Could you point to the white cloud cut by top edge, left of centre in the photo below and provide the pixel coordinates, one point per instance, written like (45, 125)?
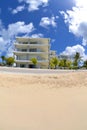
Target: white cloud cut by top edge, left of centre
(35, 4)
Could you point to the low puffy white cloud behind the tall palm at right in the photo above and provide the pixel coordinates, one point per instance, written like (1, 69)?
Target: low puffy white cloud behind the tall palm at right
(71, 51)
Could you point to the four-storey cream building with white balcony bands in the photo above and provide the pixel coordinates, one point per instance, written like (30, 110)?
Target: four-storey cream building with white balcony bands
(28, 48)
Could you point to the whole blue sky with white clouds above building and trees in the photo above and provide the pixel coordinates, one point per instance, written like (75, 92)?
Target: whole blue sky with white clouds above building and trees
(64, 22)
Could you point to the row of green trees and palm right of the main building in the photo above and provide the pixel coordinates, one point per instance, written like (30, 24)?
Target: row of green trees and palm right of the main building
(66, 63)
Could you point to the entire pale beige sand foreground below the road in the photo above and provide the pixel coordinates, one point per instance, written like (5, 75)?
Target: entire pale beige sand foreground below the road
(43, 102)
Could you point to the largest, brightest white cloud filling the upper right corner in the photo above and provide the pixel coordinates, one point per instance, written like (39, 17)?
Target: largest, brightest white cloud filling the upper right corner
(77, 20)
